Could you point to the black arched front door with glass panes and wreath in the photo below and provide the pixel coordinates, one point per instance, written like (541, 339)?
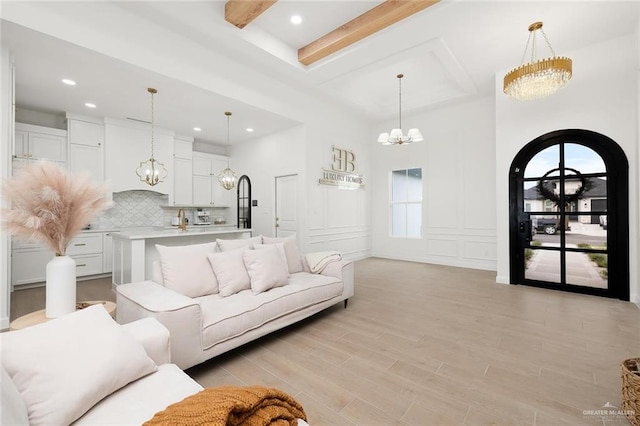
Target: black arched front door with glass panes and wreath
(569, 214)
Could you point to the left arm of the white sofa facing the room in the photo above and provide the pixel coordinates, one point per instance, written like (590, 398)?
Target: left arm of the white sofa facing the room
(180, 314)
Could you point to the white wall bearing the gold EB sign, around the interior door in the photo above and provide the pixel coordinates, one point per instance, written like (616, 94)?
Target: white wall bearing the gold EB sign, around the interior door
(329, 218)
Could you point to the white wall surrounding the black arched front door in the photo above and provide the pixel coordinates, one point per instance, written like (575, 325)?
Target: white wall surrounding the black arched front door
(602, 96)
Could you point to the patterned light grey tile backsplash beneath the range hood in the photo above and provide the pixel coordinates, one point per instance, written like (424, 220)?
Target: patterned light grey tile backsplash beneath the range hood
(133, 208)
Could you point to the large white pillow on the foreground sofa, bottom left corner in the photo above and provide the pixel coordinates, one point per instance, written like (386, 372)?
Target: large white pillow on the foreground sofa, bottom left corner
(63, 367)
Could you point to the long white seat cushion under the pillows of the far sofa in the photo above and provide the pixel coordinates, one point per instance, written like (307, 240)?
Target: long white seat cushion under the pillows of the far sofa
(226, 318)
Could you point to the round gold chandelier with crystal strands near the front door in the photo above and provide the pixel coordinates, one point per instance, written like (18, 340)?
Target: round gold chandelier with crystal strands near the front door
(539, 77)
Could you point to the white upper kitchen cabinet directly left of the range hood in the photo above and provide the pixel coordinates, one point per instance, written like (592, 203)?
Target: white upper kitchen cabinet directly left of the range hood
(86, 147)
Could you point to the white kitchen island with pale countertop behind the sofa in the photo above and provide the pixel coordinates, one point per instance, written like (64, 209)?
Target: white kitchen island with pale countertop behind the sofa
(134, 249)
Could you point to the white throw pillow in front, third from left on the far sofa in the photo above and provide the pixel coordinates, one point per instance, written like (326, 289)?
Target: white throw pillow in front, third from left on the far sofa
(267, 267)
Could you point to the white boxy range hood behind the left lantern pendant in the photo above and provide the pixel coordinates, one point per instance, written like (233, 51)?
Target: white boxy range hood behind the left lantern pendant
(127, 144)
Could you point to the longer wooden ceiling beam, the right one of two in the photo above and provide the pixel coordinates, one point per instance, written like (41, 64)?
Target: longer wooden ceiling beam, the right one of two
(372, 21)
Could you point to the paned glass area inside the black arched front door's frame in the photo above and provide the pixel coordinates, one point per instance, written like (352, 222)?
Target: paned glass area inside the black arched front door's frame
(565, 199)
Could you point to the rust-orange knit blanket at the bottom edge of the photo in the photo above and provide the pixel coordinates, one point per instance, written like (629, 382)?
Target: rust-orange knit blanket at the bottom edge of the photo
(230, 406)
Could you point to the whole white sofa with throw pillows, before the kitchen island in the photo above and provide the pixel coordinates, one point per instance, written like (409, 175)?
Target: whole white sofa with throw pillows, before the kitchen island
(203, 327)
